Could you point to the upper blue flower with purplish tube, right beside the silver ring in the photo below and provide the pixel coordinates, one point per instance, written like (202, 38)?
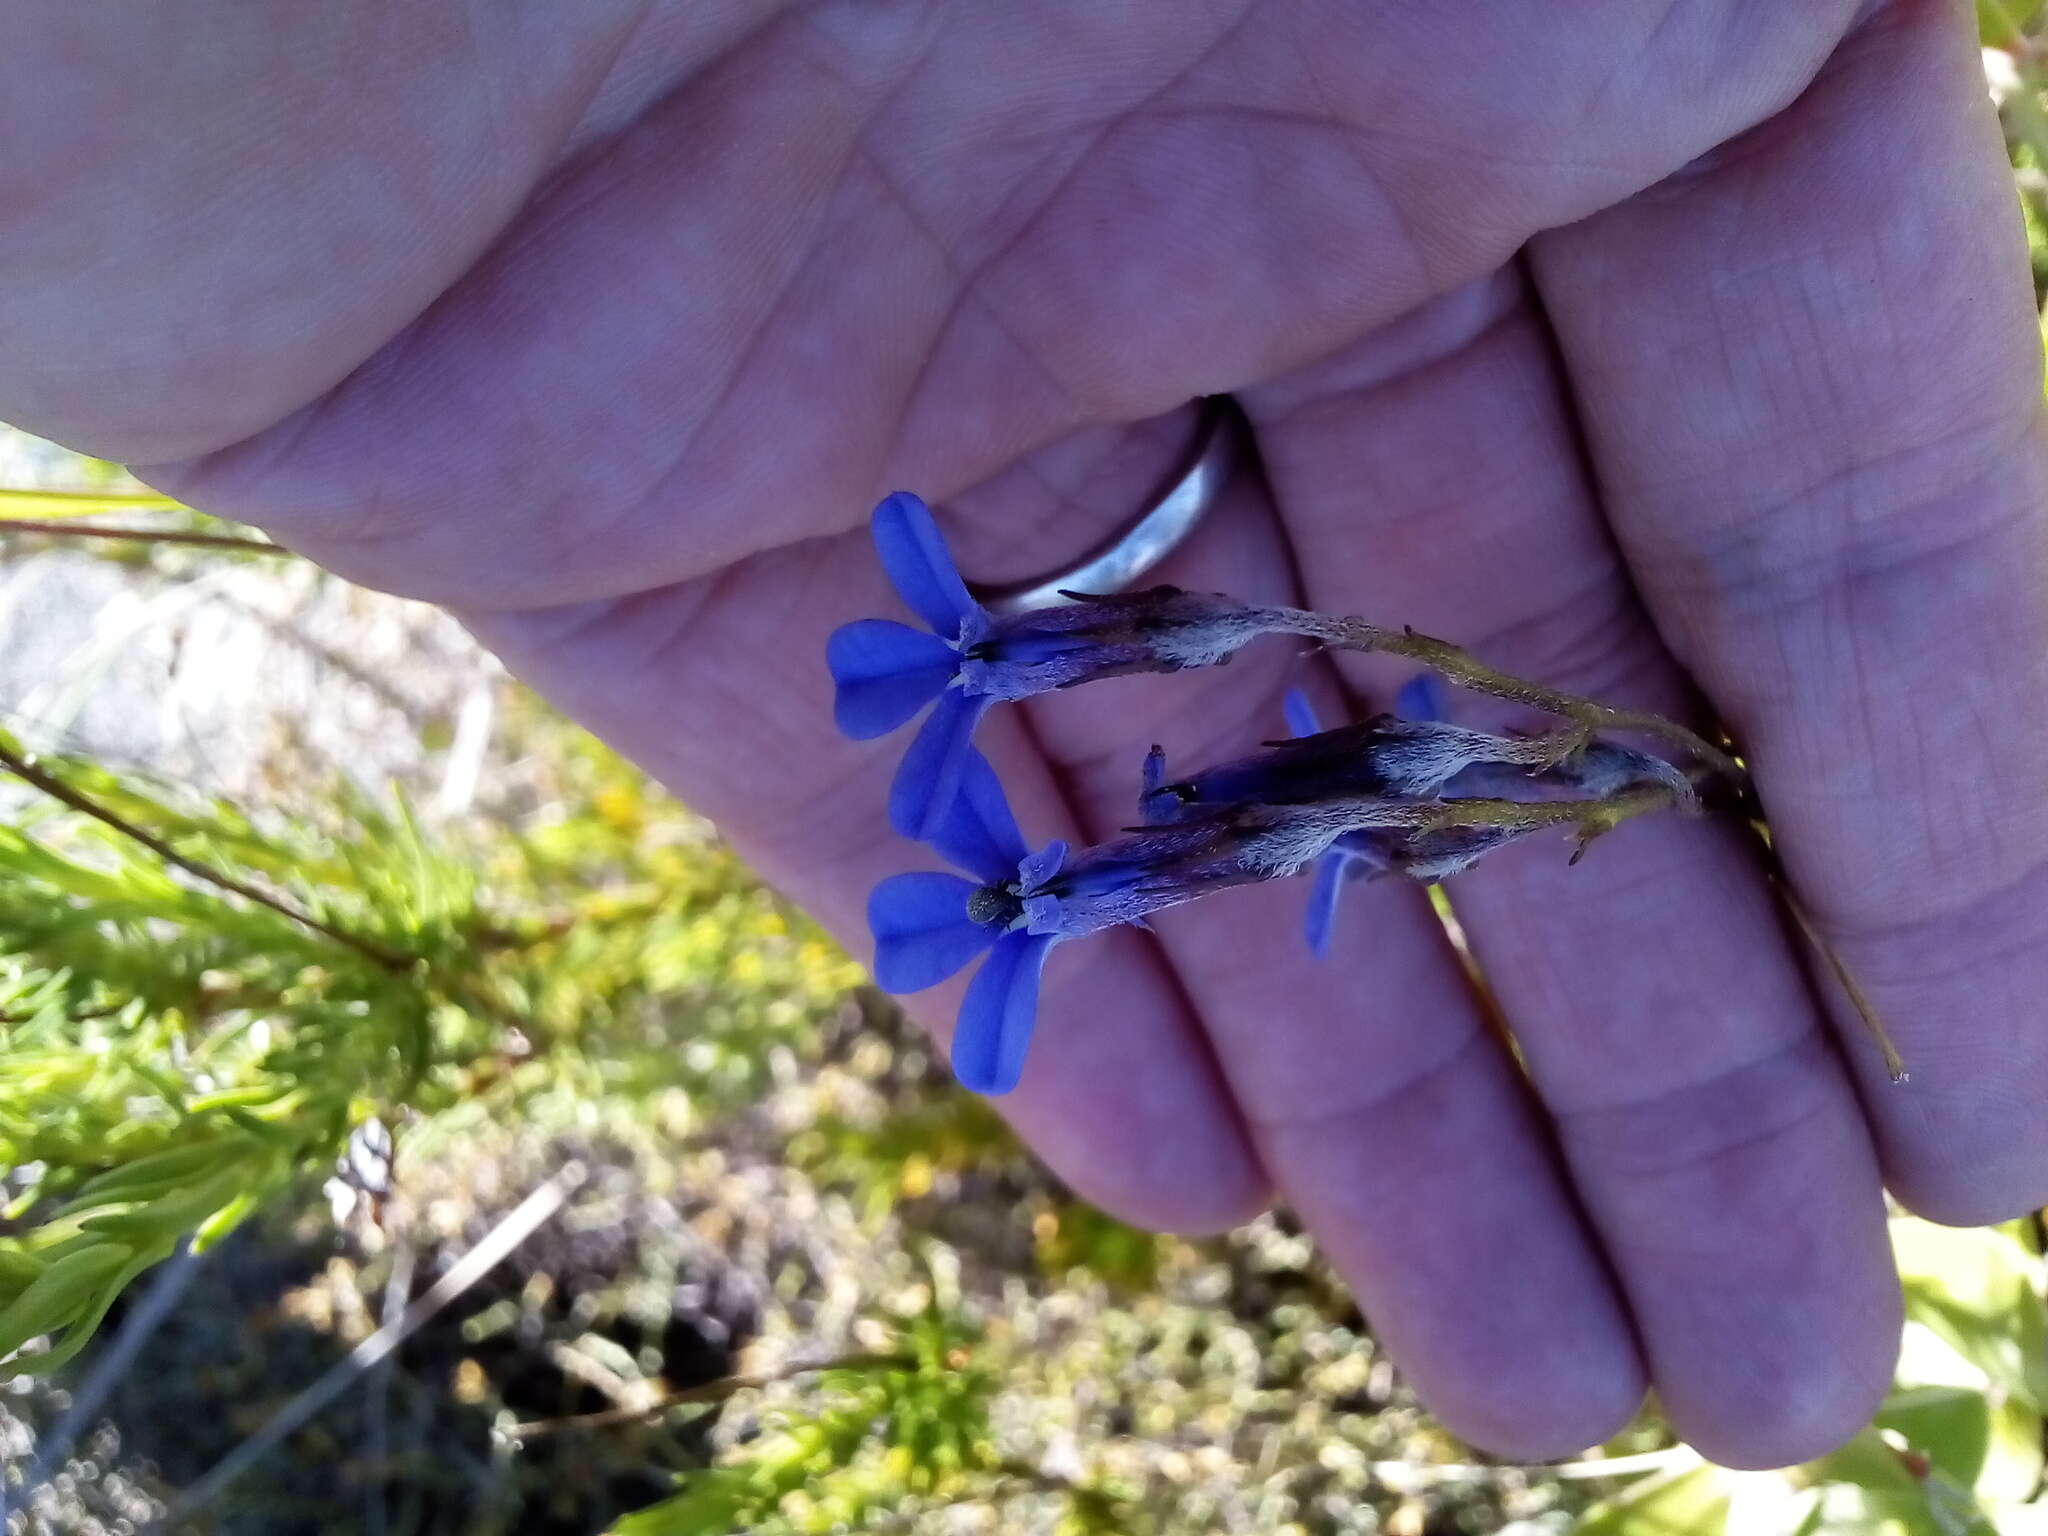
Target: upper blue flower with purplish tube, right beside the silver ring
(972, 658)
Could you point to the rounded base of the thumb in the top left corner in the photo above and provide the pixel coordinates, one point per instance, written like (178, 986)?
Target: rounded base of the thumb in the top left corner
(204, 398)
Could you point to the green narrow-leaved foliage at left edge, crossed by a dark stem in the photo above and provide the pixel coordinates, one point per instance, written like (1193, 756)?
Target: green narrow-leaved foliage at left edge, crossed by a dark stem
(196, 1011)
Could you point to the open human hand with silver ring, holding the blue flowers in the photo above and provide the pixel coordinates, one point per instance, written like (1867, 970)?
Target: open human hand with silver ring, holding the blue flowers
(1658, 353)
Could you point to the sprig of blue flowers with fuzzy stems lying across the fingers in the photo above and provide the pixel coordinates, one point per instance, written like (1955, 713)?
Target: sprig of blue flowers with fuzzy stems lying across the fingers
(1402, 794)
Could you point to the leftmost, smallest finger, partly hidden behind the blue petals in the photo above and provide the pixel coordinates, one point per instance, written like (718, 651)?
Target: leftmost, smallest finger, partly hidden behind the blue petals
(722, 693)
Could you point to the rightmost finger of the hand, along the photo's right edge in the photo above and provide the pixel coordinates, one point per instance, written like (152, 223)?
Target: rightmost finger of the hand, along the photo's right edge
(1811, 386)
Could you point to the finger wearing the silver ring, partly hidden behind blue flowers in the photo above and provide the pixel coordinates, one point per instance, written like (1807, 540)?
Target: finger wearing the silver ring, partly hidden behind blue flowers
(1379, 1101)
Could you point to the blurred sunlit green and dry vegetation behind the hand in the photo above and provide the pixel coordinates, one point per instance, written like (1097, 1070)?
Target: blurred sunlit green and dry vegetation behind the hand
(413, 1121)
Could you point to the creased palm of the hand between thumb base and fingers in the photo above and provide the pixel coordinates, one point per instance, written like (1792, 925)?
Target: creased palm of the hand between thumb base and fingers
(714, 333)
